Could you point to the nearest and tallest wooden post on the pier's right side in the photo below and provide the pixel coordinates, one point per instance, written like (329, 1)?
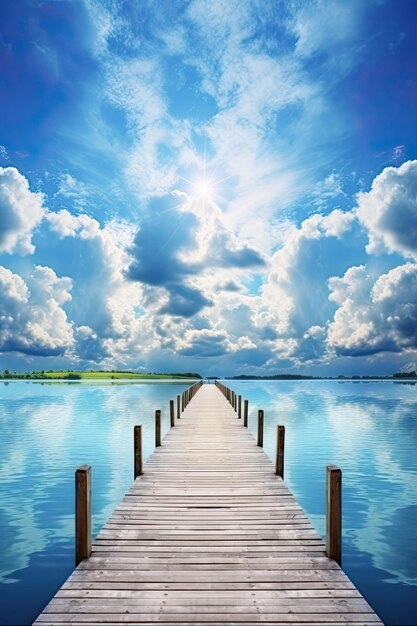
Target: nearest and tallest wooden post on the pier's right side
(334, 513)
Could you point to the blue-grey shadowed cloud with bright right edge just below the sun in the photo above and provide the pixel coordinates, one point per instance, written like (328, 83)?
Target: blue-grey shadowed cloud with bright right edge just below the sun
(181, 241)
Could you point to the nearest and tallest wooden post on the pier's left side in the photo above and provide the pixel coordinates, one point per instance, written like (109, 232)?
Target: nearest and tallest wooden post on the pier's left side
(82, 513)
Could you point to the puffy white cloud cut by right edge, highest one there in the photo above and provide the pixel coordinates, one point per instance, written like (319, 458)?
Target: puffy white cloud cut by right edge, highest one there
(389, 211)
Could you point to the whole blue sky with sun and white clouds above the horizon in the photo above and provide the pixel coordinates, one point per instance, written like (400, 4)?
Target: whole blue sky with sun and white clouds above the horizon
(211, 186)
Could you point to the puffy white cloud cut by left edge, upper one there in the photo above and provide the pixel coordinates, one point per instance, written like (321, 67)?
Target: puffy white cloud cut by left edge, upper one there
(21, 210)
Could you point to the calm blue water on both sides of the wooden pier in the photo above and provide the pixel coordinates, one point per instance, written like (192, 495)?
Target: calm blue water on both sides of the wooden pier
(368, 429)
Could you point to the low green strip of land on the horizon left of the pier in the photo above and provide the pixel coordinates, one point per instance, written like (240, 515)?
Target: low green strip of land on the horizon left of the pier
(94, 375)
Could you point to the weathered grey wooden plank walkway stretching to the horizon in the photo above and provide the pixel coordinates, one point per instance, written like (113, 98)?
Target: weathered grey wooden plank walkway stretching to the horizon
(208, 535)
